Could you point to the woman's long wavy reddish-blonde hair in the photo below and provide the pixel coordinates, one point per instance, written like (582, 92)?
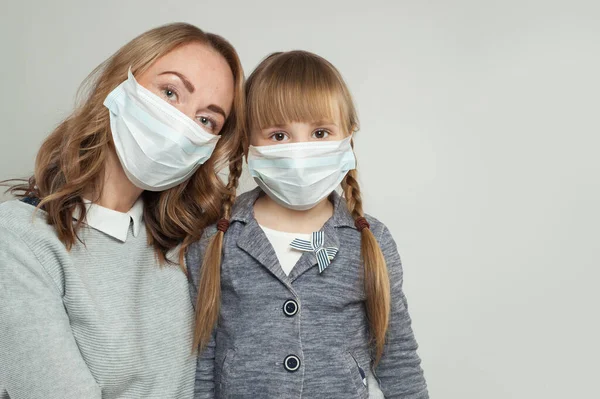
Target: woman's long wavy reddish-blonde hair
(71, 161)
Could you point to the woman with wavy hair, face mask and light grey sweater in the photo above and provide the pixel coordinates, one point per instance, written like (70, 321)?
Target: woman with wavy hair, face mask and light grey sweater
(92, 302)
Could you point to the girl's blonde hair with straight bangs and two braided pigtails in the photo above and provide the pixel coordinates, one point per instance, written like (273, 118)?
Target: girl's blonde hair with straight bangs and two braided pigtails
(299, 86)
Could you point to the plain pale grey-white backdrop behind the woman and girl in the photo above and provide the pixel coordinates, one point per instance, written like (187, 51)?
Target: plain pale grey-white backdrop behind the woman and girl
(478, 148)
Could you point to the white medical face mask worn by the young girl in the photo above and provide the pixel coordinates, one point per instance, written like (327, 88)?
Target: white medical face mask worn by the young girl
(300, 175)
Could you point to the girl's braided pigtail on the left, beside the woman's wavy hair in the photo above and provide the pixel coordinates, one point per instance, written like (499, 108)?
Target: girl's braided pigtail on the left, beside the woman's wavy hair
(209, 286)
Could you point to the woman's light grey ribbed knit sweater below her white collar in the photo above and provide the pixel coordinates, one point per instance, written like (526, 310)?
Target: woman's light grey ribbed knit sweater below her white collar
(102, 321)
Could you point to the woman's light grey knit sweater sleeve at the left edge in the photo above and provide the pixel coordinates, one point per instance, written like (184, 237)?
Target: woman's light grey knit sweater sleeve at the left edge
(40, 357)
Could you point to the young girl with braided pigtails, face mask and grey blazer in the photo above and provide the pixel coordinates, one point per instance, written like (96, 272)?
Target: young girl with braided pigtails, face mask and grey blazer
(302, 297)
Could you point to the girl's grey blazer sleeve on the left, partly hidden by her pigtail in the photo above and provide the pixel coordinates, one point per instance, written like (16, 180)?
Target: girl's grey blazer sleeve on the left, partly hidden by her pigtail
(204, 386)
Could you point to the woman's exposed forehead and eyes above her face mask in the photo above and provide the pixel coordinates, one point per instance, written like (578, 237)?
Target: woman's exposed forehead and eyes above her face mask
(195, 79)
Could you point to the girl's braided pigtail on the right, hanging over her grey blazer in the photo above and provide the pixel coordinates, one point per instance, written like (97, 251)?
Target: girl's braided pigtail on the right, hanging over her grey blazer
(376, 280)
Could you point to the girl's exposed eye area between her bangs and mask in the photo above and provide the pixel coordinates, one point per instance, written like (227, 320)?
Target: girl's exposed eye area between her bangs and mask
(298, 132)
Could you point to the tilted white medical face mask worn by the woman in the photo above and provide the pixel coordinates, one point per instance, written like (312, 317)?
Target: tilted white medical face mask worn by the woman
(159, 146)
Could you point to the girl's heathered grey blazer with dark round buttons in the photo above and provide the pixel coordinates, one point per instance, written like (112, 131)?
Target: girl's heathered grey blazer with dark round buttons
(304, 335)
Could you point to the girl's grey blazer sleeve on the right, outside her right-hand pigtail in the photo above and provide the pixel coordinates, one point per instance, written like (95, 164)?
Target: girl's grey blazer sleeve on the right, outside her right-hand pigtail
(399, 370)
